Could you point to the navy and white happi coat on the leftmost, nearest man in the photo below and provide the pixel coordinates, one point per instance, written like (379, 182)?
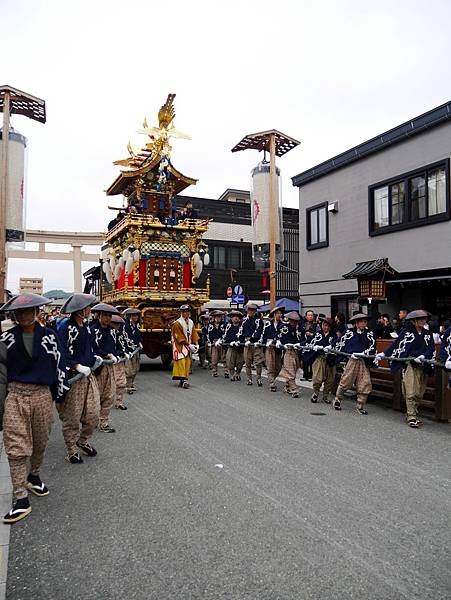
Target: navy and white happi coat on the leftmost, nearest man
(46, 366)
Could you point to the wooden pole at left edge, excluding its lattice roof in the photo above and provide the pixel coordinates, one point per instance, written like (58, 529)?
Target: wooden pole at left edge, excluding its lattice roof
(4, 193)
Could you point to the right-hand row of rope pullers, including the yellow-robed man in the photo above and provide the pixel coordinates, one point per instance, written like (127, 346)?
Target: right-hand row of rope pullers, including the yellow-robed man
(280, 342)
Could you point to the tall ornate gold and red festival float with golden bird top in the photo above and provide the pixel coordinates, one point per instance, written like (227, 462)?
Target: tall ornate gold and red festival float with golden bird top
(153, 255)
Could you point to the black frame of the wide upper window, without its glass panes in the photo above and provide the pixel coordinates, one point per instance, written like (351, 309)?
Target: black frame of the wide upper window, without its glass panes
(405, 178)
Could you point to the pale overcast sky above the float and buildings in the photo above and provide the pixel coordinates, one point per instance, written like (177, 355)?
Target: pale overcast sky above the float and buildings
(330, 74)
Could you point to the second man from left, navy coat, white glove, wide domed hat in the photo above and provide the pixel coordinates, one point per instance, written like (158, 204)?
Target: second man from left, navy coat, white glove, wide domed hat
(82, 403)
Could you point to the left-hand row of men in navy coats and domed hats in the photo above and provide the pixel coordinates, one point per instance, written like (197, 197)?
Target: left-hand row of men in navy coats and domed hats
(85, 367)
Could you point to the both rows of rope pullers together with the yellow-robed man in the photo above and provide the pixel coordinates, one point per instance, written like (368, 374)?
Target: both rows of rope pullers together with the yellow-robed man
(87, 366)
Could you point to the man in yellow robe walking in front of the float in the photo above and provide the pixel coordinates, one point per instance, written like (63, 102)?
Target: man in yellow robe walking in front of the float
(184, 343)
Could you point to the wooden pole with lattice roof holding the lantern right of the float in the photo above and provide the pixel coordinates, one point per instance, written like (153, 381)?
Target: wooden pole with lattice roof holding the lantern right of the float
(278, 144)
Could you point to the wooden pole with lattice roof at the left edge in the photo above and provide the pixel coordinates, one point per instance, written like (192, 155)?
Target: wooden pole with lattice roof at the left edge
(12, 101)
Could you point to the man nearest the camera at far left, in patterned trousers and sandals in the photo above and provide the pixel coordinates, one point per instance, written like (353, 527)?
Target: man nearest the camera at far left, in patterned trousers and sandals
(36, 376)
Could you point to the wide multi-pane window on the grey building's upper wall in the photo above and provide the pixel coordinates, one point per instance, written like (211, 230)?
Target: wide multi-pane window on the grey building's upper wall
(412, 199)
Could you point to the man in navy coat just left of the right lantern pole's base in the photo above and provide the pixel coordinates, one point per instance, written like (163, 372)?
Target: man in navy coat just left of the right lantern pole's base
(250, 333)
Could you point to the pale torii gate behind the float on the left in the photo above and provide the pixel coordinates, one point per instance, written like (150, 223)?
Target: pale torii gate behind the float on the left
(75, 239)
